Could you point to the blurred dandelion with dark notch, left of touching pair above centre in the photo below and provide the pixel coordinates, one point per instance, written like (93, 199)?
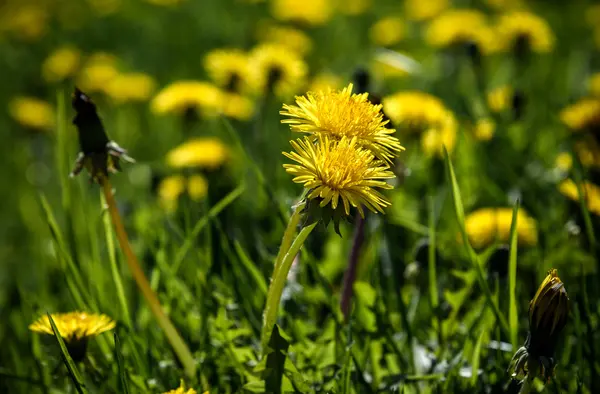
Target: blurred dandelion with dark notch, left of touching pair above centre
(228, 68)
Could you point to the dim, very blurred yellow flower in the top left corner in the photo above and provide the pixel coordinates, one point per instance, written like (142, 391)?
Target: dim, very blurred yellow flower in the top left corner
(27, 20)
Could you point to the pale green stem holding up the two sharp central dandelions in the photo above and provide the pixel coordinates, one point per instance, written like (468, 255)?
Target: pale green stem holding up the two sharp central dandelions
(279, 279)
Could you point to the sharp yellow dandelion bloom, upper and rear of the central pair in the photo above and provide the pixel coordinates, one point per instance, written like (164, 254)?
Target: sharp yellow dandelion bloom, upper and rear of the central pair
(339, 114)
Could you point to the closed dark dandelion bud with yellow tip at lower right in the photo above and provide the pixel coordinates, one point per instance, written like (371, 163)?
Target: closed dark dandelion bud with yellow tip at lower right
(548, 315)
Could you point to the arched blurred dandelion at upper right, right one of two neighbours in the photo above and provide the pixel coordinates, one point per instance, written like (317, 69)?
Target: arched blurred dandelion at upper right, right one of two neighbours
(521, 27)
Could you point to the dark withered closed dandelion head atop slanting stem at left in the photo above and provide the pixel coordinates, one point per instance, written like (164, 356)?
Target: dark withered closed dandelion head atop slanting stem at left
(98, 154)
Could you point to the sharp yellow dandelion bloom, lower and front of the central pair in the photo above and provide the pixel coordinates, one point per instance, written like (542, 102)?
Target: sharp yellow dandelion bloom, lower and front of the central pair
(334, 170)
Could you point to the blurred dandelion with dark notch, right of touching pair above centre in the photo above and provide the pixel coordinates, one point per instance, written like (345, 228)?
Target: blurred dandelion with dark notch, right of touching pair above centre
(276, 68)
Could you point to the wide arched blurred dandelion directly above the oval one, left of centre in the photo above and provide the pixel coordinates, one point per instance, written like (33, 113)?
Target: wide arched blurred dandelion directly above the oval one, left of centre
(182, 95)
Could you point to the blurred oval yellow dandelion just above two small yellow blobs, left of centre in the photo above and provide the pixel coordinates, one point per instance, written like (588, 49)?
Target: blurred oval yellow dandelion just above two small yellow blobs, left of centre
(209, 153)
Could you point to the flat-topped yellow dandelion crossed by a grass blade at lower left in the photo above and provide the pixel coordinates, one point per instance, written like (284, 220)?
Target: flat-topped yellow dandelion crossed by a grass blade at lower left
(75, 328)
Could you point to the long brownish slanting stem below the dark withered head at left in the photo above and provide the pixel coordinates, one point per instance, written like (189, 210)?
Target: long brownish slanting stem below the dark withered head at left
(179, 346)
